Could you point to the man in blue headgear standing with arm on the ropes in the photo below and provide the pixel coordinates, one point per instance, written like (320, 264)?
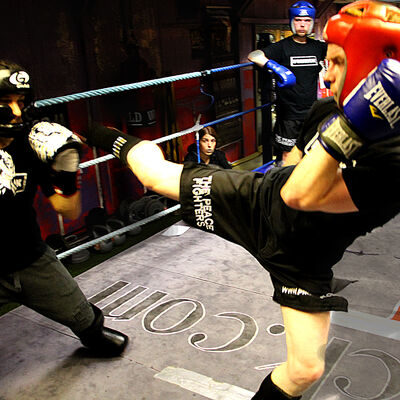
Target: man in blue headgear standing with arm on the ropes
(295, 62)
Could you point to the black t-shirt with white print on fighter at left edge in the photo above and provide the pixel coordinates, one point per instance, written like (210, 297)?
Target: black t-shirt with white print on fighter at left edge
(20, 174)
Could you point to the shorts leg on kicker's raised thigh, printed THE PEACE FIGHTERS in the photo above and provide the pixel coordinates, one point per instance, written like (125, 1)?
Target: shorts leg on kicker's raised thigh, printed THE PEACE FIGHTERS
(221, 201)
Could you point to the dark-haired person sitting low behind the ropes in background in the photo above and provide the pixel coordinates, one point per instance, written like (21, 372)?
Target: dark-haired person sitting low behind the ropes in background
(208, 154)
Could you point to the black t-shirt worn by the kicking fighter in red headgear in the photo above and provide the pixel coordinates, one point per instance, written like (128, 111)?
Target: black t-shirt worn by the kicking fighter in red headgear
(312, 242)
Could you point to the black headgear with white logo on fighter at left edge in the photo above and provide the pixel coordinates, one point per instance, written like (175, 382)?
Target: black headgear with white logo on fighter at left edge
(14, 80)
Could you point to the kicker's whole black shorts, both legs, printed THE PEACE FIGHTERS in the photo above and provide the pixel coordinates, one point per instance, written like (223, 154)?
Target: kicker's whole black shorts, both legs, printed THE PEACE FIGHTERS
(227, 203)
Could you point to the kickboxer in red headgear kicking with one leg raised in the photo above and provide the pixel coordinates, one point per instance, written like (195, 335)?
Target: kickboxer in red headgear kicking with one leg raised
(298, 220)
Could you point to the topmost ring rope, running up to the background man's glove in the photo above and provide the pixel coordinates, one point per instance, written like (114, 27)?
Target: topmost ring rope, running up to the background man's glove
(131, 86)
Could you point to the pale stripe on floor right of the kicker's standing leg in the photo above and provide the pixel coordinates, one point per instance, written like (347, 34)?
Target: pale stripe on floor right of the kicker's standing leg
(367, 323)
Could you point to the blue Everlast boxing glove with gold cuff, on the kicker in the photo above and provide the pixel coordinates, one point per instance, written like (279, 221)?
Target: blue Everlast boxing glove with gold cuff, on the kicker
(371, 113)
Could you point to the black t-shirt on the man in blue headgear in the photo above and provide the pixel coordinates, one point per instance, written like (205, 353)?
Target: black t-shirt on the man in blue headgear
(303, 59)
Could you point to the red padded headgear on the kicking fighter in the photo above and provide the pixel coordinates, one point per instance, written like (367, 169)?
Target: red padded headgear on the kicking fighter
(368, 32)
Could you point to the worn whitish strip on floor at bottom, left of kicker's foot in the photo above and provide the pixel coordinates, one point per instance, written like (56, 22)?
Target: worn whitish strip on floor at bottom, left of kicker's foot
(203, 385)
